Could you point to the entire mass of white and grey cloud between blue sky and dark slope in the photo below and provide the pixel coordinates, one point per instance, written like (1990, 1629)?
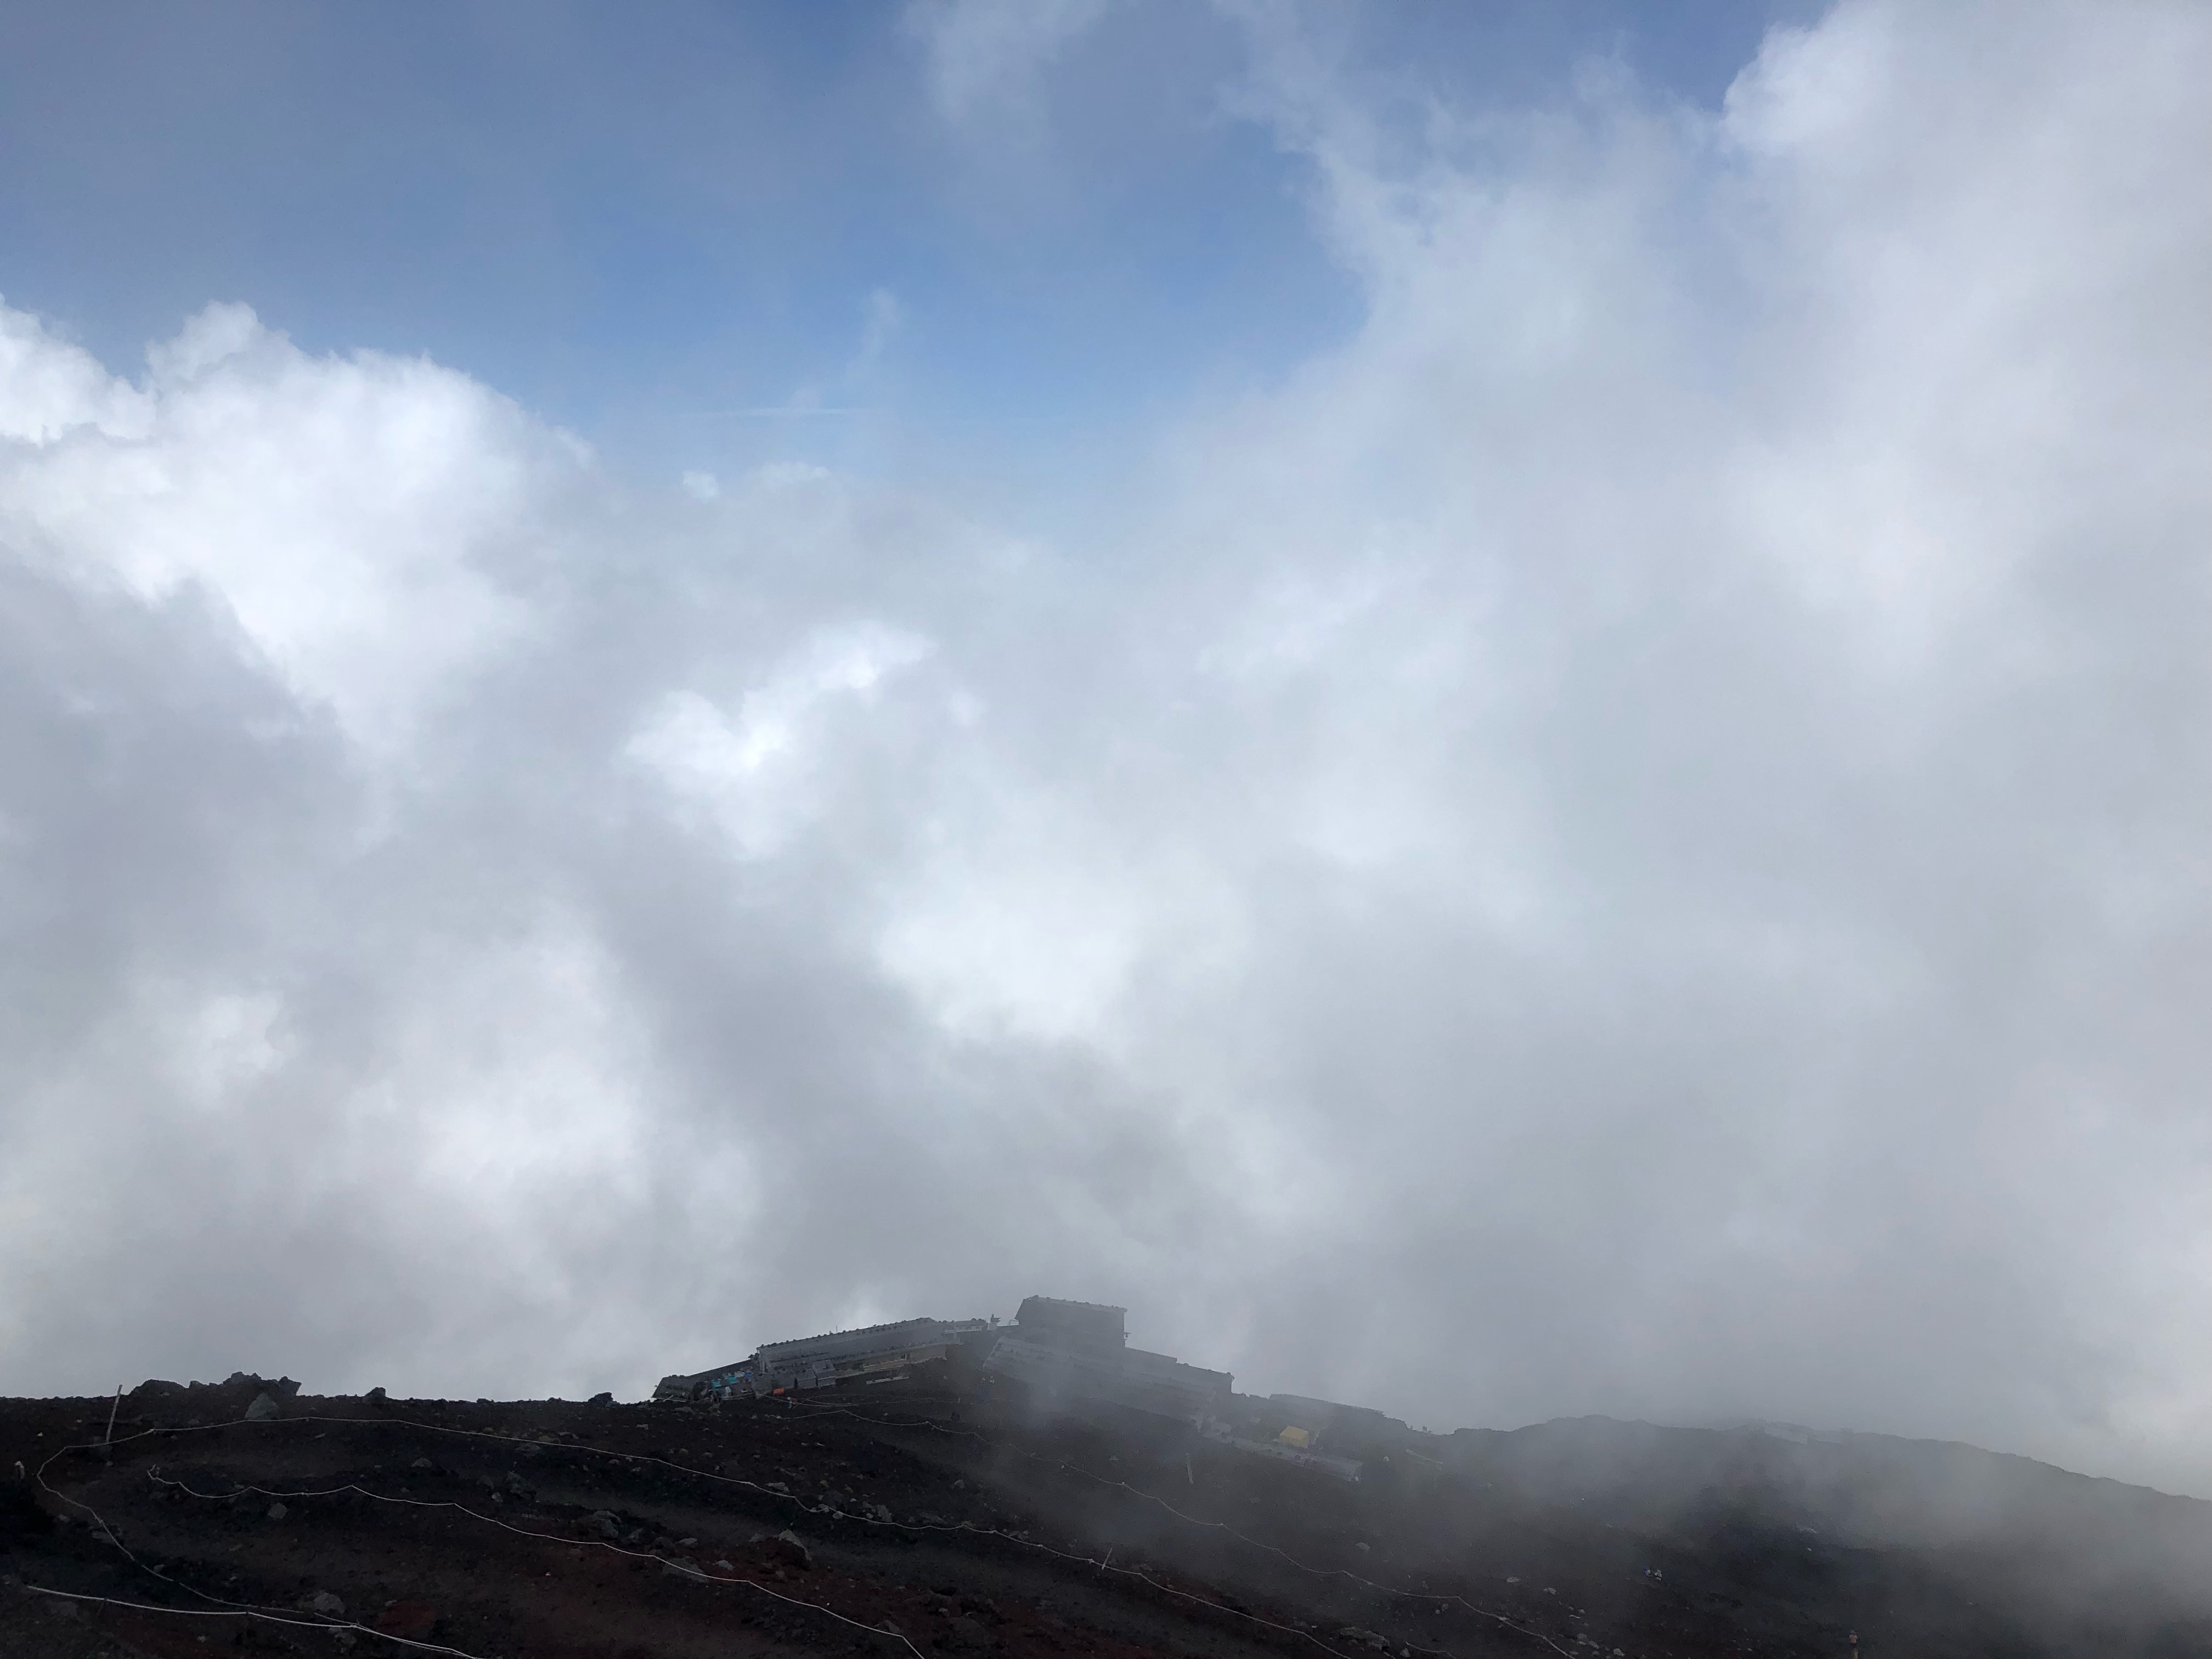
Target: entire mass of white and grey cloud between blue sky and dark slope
(1631, 837)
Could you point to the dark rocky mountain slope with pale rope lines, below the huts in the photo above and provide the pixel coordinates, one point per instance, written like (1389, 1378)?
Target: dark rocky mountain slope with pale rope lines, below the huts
(910, 1521)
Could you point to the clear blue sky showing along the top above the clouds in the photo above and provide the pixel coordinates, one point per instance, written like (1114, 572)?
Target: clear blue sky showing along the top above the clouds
(632, 222)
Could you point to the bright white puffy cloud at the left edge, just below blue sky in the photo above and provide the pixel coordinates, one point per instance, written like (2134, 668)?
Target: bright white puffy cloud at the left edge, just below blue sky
(351, 514)
